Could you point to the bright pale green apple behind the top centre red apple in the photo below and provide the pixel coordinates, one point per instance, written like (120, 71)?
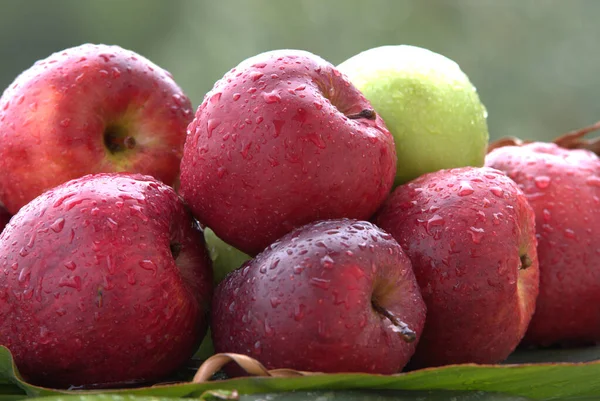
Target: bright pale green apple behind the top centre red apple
(427, 103)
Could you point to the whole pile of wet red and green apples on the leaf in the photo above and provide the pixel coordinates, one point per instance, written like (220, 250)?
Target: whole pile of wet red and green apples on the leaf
(376, 237)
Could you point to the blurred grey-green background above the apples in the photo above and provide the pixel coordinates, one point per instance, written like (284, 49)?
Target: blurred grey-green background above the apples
(535, 62)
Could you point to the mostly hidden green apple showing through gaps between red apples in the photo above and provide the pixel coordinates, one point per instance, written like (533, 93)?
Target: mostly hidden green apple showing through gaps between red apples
(225, 259)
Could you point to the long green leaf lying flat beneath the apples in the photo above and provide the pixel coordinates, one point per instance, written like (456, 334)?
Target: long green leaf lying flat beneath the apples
(543, 381)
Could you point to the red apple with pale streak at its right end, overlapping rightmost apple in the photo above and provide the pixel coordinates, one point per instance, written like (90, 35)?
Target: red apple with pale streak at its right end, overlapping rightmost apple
(469, 233)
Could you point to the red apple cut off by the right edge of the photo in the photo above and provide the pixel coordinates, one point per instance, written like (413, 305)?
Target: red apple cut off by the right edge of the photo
(563, 187)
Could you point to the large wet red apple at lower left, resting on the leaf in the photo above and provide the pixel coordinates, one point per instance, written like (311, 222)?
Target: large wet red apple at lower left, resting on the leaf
(105, 282)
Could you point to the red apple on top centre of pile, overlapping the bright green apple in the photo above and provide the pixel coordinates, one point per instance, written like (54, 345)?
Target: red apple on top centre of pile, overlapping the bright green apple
(282, 140)
